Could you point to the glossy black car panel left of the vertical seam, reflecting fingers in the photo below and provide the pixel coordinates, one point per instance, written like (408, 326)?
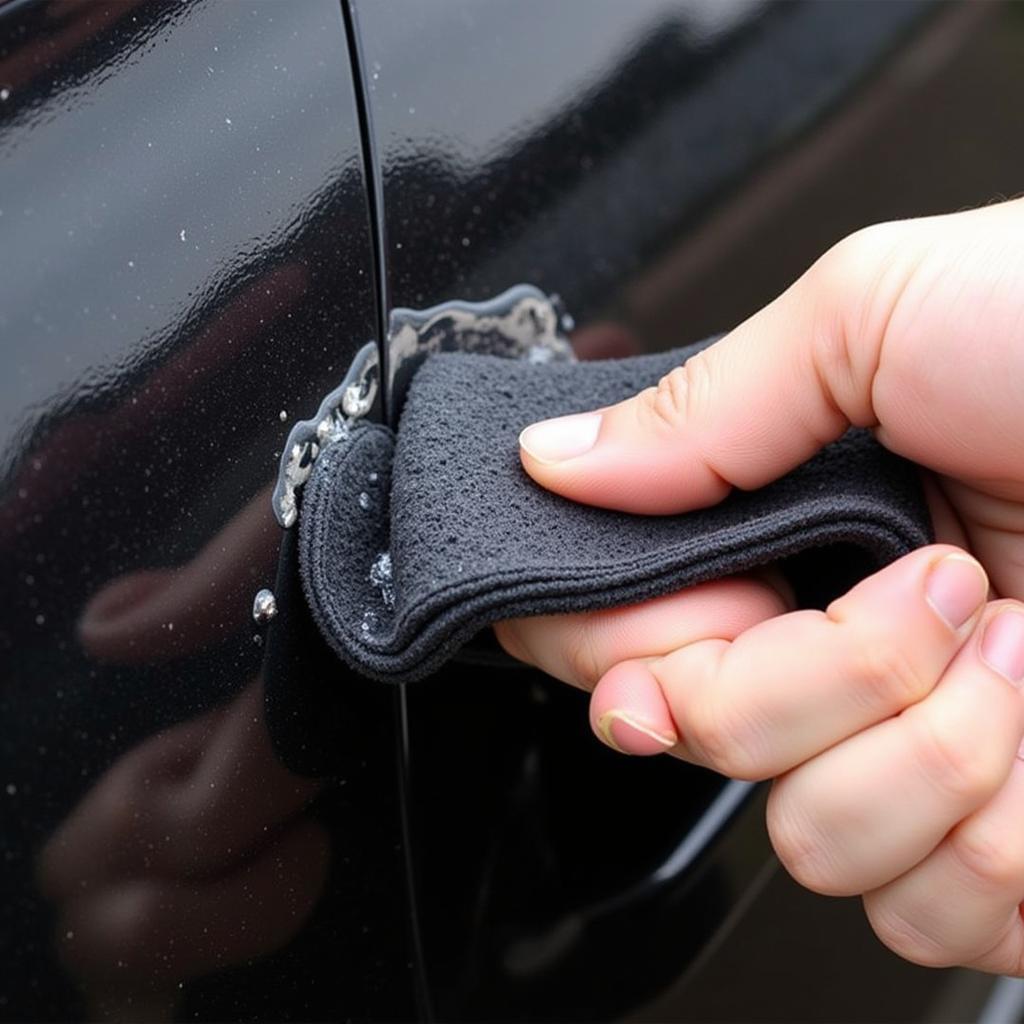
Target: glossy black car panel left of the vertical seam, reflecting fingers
(186, 270)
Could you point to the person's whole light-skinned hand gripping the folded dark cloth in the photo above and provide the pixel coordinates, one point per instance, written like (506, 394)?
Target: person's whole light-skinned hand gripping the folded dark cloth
(891, 722)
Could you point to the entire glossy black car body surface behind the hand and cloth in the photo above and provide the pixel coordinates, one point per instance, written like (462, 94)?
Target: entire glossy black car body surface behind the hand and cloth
(204, 212)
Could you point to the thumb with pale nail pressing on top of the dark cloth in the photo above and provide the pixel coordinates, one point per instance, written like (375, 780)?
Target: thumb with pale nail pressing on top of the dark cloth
(747, 410)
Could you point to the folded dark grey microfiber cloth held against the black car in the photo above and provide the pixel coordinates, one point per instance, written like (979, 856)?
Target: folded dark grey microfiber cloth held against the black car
(412, 542)
